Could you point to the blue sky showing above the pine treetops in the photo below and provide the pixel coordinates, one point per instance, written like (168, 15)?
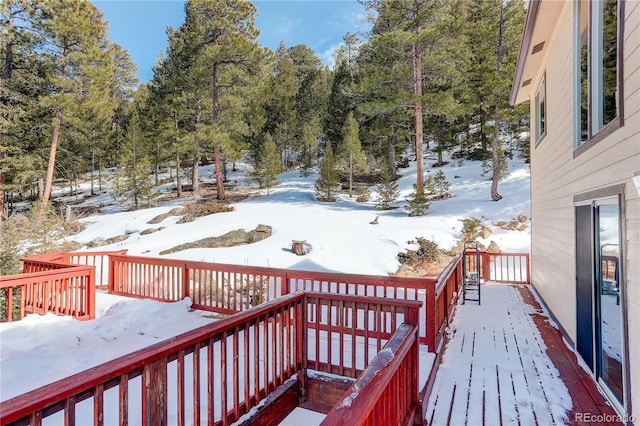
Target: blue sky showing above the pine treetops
(140, 25)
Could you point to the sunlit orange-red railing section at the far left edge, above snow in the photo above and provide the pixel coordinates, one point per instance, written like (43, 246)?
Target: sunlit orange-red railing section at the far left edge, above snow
(67, 291)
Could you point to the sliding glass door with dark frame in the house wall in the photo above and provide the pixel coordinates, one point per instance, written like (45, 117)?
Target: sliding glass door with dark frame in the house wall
(600, 327)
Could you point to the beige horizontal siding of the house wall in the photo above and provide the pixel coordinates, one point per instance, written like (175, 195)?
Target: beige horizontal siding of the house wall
(557, 175)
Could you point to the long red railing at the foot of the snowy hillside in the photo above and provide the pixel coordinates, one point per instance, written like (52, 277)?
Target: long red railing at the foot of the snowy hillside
(232, 288)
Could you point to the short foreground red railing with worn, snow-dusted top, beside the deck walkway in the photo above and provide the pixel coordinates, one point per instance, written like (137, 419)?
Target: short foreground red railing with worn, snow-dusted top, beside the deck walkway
(386, 393)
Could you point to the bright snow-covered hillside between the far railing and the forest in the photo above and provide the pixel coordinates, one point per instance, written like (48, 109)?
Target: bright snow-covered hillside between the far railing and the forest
(340, 234)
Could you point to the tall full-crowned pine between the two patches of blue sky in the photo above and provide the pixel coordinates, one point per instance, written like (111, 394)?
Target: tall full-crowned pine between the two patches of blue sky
(218, 51)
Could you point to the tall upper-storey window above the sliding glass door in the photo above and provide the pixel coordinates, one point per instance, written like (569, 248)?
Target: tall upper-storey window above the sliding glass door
(597, 63)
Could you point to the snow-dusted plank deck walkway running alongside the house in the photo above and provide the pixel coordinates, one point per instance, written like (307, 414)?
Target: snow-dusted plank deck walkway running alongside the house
(505, 363)
